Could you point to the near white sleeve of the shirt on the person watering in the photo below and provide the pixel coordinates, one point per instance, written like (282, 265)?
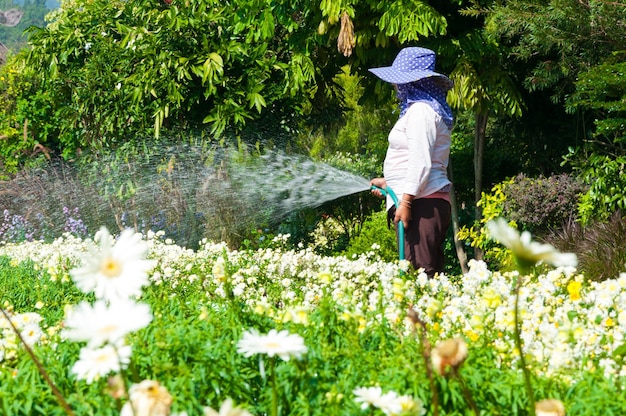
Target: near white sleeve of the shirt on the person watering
(421, 133)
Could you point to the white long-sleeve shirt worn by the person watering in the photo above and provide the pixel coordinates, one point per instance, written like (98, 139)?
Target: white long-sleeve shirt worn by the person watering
(418, 153)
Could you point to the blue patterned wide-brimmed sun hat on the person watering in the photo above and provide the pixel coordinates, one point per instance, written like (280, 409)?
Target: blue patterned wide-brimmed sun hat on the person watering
(411, 64)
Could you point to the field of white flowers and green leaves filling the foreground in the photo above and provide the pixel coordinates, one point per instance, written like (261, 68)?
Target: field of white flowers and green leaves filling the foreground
(136, 325)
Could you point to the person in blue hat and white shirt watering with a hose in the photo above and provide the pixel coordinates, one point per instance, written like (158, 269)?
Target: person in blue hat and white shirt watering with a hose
(416, 164)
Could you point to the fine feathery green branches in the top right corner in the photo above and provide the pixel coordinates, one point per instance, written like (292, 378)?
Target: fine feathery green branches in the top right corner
(559, 38)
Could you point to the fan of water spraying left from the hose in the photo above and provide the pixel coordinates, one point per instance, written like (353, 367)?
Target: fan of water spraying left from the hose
(190, 192)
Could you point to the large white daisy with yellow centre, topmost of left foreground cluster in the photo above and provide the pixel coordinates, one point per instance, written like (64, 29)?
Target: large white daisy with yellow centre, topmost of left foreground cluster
(118, 270)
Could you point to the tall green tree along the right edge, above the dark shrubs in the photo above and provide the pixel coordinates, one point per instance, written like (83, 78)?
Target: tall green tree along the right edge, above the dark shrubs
(576, 50)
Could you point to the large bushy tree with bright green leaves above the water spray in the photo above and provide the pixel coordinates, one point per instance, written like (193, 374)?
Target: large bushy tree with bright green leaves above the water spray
(116, 68)
